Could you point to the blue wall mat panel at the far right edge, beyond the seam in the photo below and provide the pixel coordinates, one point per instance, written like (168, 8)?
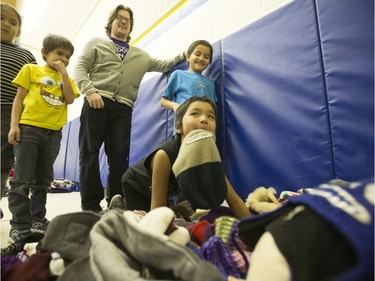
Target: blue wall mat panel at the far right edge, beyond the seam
(347, 40)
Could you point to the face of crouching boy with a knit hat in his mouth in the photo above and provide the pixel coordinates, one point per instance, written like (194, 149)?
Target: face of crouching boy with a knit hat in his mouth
(200, 115)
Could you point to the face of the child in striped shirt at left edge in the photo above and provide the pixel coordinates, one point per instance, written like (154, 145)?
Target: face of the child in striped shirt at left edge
(10, 25)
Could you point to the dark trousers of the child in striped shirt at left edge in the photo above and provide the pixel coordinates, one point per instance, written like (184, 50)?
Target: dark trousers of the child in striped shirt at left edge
(7, 156)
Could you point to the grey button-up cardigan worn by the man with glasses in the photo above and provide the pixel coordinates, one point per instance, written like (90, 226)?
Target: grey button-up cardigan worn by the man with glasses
(100, 69)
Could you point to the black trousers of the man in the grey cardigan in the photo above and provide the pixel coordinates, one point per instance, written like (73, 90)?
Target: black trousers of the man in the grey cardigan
(111, 126)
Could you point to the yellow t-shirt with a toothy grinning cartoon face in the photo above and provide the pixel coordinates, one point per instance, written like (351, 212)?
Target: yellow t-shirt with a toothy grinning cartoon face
(44, 104)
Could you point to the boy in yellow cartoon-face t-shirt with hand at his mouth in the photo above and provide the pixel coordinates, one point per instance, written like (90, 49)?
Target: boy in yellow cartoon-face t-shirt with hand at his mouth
(38, 114)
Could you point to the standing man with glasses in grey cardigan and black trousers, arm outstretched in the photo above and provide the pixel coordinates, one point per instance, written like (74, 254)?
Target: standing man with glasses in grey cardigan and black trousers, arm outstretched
(109, 72)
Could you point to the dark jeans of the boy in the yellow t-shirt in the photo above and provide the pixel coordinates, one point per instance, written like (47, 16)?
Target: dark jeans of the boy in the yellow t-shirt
(33, 174)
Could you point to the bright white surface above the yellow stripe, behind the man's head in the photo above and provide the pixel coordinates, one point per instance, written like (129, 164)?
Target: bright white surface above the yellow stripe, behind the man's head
(79, 20)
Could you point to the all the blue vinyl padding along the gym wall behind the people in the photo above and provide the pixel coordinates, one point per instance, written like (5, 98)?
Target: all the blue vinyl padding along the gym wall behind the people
(296, 100)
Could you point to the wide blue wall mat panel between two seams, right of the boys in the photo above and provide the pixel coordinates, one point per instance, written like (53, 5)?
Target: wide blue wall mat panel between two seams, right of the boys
(276, 119)
